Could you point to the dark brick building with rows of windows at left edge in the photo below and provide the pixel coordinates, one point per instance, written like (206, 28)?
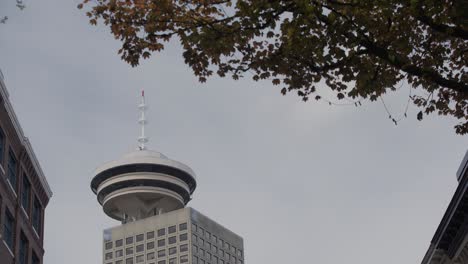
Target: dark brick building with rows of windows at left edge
(24, 191)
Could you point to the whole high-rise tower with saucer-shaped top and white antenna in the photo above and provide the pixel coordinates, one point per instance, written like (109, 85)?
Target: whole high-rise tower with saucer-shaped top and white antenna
(148, 192)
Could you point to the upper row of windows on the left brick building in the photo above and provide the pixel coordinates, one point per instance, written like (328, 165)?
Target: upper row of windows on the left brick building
(26, 194)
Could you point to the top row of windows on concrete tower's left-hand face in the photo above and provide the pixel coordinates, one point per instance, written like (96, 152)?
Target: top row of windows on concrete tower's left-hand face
(149, 236)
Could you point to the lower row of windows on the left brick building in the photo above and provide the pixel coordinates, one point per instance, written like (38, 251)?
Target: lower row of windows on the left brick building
(9, 236)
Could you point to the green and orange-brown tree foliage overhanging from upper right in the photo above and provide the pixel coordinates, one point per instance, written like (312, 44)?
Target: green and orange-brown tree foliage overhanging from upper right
(358, 48)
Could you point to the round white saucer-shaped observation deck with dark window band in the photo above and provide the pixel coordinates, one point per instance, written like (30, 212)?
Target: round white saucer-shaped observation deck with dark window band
(142, 183)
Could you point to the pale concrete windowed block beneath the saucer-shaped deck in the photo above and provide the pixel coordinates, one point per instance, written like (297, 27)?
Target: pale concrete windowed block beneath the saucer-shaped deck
(180, 236)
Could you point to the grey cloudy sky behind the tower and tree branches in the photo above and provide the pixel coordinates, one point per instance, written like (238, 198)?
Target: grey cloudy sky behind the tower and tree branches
(301, 182)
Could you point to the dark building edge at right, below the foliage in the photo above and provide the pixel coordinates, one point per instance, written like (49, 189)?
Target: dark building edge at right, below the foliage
(450, 242)
